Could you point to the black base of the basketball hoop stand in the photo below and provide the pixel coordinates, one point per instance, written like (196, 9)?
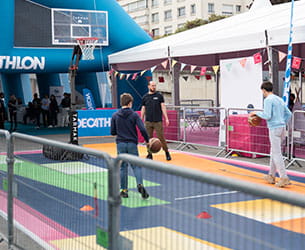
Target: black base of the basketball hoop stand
(61, 154)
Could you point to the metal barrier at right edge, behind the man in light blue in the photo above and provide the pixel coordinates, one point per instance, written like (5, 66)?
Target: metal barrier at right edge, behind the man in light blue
(297, 135)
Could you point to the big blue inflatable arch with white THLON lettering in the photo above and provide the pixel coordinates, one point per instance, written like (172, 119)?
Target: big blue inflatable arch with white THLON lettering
(27, 48)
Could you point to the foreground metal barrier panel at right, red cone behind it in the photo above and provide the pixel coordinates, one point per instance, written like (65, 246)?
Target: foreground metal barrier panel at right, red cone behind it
(190, 209)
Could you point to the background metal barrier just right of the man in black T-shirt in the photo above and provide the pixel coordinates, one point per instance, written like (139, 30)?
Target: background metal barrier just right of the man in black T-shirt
(193, 126)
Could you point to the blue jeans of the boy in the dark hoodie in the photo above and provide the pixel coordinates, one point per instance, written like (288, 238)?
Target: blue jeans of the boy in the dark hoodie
(129, 148)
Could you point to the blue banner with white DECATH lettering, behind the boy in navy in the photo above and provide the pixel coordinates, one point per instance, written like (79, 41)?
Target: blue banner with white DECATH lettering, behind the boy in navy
(94, 122)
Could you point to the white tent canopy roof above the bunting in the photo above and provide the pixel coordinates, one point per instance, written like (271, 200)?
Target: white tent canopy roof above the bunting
(241, 32)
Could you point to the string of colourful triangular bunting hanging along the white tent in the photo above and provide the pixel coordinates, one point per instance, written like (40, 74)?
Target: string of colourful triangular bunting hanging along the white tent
(169, 63)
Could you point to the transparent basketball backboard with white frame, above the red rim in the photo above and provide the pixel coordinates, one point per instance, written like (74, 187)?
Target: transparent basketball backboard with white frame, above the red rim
(70, 24)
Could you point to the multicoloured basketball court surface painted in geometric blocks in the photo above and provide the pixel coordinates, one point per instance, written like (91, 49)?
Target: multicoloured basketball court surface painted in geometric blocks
(52, 198)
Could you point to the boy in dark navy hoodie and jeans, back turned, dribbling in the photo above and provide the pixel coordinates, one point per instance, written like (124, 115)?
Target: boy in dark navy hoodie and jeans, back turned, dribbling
(123, 125)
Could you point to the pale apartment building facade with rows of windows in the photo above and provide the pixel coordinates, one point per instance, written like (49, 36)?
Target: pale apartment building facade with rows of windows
(164, 17)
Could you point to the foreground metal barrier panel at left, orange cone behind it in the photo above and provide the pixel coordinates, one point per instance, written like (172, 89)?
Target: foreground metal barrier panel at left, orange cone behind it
(54, 203)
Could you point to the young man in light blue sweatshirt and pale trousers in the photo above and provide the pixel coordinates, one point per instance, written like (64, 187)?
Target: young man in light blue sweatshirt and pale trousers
(277, 115)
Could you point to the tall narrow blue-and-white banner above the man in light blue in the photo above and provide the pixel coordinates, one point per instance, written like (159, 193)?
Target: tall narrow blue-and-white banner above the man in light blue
(288, 62)
